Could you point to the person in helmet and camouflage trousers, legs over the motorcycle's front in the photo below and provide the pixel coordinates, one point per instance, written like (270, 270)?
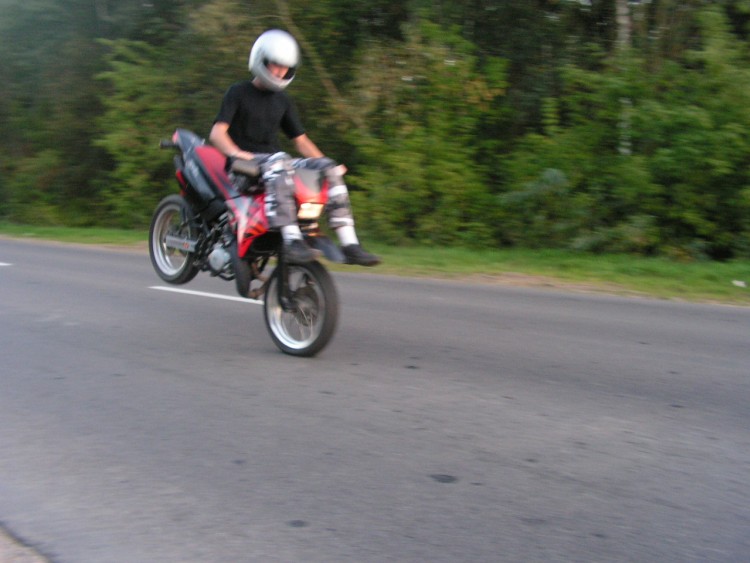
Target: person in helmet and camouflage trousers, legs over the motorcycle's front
(247, 127)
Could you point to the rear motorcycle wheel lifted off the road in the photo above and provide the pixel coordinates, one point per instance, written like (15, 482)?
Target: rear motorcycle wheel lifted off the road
(171, 241)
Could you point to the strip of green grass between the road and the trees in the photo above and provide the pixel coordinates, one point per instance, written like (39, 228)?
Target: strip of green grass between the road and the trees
(718, 282)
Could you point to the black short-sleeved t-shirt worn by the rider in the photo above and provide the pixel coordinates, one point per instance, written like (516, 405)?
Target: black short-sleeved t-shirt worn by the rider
(255, 117)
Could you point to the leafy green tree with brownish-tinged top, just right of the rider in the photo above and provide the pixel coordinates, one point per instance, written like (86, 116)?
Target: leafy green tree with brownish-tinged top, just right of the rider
(423, 101)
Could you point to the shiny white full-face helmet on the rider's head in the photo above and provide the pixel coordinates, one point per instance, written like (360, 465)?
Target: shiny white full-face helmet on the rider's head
(278, 47)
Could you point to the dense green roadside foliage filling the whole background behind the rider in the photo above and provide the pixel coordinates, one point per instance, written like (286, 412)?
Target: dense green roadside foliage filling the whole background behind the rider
(601, 125)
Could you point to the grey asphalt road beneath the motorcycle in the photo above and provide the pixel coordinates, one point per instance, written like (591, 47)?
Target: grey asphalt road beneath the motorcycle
(444, 423)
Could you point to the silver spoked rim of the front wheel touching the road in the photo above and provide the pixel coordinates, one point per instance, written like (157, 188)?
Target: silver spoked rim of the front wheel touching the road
(299, 328)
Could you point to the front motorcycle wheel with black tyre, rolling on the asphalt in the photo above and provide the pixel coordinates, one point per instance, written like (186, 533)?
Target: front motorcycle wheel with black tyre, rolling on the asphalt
(309, 321)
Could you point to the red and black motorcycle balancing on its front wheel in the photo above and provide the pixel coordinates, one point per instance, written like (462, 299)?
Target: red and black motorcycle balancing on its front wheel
(214, 226)
